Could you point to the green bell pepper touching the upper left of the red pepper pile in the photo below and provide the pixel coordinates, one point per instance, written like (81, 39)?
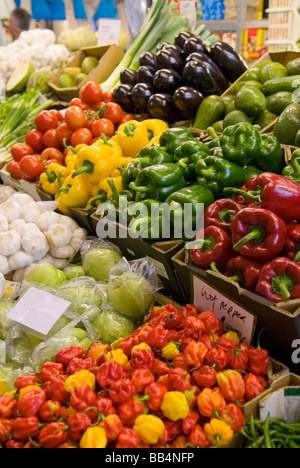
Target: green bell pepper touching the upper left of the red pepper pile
(215, 174)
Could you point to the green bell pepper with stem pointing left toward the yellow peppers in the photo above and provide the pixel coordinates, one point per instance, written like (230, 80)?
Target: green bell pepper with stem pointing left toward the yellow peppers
(158, 182)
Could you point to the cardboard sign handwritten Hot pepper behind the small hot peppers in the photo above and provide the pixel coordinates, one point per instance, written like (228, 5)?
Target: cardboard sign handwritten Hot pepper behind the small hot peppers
(208, 298)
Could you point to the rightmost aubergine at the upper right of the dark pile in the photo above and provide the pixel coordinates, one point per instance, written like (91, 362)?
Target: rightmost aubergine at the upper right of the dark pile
(228, 60)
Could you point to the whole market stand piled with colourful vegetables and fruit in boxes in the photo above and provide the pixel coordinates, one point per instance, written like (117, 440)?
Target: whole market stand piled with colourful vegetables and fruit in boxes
(119, 328)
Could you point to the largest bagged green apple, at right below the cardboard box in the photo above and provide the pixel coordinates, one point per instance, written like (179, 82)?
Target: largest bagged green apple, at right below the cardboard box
(131, 294)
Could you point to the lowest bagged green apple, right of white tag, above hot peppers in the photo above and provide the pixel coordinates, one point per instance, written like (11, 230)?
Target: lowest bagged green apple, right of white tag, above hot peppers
(112, 326)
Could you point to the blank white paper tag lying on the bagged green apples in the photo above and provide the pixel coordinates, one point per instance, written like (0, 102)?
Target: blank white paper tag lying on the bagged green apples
(38, 310)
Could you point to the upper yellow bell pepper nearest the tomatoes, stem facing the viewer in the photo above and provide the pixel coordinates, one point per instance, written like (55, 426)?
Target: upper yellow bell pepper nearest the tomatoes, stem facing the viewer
(132, 137)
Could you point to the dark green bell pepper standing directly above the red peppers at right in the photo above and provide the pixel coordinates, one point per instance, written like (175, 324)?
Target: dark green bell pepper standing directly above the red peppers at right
(271, 157)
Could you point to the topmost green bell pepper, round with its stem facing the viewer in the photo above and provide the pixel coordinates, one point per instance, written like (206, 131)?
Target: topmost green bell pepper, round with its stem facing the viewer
(241, 143)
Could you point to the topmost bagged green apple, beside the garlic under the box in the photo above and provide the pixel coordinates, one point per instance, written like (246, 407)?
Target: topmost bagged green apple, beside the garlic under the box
(98, 263)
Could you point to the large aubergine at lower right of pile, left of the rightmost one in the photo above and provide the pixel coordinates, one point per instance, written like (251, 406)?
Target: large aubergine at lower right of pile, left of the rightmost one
(198, 76)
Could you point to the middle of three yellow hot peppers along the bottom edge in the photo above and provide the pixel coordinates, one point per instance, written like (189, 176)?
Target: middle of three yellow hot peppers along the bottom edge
(149, 428)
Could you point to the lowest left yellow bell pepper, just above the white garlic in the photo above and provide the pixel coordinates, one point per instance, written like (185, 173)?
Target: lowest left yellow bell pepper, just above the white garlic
(74, 192)
